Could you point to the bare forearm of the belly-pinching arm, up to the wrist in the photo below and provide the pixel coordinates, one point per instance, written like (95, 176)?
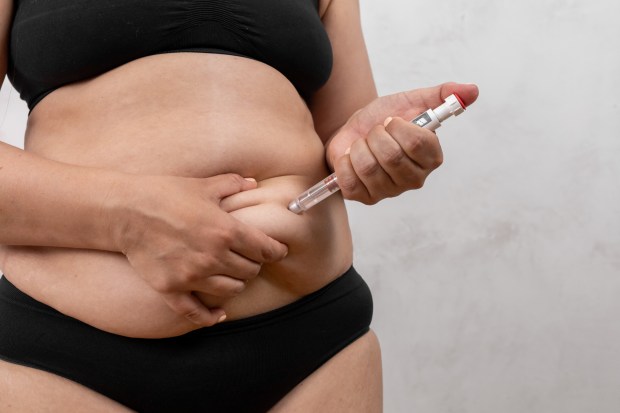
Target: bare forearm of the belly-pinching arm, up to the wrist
(47, 203)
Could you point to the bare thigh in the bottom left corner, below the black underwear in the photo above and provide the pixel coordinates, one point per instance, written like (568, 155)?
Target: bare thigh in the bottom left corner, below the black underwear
(25, 390)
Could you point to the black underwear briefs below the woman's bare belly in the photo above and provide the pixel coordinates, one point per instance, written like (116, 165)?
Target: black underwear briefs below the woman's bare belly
(245, 365)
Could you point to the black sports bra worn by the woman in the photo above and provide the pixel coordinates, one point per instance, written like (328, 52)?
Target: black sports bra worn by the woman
(58, 42)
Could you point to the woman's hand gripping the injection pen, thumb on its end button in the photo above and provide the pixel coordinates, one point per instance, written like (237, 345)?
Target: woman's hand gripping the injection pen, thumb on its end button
(376, 157)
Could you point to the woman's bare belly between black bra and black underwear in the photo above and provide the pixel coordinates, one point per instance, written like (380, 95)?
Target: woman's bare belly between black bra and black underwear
(194, 115)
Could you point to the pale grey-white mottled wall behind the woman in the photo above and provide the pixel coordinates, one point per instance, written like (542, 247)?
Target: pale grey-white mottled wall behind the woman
(497, 286)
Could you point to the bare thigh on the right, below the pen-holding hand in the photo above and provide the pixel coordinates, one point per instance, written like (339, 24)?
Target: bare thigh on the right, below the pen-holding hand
(351, 381)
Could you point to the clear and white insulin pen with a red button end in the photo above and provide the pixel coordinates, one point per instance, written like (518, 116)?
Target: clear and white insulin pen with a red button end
(431, 119)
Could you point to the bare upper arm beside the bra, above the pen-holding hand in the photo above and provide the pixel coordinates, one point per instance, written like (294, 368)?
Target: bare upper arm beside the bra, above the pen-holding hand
(351, 85)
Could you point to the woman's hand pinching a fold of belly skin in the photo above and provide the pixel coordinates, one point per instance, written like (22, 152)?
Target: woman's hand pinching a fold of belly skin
(179, 240)
